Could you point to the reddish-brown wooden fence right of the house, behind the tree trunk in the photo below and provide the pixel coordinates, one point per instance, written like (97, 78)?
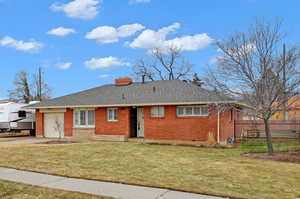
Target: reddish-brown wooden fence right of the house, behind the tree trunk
(282, 130)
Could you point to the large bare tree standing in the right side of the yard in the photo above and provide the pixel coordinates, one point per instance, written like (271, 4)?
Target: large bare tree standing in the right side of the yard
(254, 68)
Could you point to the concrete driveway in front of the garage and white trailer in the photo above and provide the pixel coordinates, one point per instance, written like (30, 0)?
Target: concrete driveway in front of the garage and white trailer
(21, 140)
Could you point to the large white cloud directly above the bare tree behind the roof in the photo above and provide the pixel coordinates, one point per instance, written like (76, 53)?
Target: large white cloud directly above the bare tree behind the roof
(150, 39)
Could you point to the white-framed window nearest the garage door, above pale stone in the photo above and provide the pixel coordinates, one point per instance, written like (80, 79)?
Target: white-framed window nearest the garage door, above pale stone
(84, 118)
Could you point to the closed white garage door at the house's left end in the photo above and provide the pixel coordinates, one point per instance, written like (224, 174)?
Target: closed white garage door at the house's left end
(54, 125)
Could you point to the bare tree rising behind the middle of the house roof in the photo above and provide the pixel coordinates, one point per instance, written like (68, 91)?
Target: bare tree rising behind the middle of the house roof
(161, 64)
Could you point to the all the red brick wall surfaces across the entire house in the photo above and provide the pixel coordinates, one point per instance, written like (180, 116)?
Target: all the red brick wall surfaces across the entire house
(170, 127)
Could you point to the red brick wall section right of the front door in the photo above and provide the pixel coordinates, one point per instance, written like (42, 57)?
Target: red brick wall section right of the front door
(172, 127)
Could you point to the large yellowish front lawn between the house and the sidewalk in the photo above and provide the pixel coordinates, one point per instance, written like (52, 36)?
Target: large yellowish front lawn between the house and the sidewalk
(221, 172)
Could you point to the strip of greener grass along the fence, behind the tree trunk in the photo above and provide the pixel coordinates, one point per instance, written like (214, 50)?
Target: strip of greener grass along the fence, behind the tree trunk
(260, 147)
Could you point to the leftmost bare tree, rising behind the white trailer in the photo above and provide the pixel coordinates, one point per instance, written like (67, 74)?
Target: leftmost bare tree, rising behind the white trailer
(21, 92)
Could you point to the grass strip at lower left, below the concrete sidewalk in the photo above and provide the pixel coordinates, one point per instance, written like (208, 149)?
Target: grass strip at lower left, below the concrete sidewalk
(10, 190)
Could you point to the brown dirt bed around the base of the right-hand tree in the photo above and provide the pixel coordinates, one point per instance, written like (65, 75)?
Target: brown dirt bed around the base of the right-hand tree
(277, 156)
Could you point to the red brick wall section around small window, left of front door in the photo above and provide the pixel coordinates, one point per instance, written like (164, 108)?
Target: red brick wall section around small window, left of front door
(120, 127)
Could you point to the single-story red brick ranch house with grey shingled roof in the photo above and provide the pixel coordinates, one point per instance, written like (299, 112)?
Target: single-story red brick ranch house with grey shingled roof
(168, 110)
